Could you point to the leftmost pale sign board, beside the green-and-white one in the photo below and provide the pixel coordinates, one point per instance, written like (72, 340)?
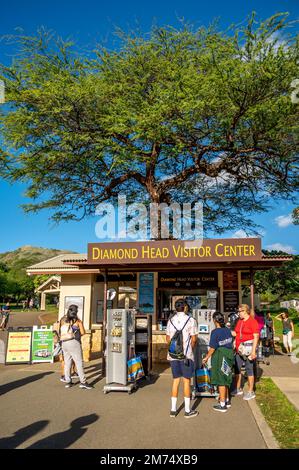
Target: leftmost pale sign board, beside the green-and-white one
(18, 349)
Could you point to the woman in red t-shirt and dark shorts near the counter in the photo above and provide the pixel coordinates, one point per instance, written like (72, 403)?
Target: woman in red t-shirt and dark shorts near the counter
(246, 335)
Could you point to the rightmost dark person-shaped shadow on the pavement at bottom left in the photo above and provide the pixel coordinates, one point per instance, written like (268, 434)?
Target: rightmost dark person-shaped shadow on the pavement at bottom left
(63, 440)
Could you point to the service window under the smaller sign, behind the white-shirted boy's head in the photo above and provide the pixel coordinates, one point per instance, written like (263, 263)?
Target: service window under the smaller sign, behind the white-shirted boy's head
(200, 299)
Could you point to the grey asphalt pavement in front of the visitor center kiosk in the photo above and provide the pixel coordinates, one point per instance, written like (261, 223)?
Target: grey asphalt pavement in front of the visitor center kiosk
(39, 412)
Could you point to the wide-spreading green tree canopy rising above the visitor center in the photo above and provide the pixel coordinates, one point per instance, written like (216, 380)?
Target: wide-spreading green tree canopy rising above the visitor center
(178, 115)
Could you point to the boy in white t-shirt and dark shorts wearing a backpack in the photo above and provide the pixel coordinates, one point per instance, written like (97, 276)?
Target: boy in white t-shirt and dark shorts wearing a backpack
(181, 335)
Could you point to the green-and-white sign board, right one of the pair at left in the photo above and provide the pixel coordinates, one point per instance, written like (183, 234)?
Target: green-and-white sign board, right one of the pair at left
(42, 344)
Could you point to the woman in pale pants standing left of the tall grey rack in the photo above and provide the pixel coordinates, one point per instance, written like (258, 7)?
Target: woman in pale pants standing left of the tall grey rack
(71, 330)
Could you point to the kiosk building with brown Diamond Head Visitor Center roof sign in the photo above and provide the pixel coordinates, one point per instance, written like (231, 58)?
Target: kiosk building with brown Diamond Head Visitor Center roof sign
(151, 275)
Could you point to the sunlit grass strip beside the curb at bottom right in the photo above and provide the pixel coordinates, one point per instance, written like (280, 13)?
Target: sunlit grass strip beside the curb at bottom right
(280, 414)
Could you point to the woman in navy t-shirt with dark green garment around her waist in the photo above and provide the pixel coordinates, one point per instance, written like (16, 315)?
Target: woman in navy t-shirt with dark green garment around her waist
(222, 354)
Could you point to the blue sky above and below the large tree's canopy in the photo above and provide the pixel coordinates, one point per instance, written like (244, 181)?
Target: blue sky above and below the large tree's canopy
(92, 21)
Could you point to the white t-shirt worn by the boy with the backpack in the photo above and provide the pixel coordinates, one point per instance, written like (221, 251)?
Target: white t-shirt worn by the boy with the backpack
(179, 320)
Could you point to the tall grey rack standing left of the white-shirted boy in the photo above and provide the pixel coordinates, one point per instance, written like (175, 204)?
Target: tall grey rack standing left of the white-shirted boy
(120, 343)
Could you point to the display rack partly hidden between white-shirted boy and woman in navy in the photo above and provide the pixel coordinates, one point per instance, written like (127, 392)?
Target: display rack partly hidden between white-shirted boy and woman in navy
(205, 325)
